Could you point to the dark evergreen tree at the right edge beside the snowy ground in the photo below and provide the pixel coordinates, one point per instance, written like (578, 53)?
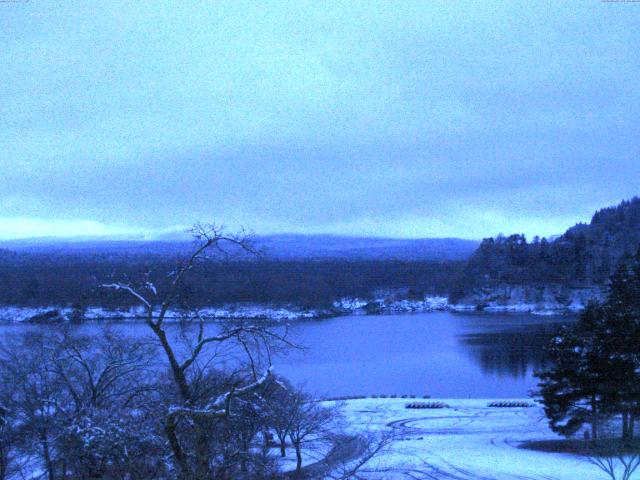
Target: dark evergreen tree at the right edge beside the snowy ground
(596, 362)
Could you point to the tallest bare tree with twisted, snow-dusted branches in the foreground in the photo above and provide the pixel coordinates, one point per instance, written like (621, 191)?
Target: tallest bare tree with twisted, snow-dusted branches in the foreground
(194, 410)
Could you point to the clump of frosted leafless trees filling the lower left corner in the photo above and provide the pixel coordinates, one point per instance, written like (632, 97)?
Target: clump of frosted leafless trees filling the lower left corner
(74, 404)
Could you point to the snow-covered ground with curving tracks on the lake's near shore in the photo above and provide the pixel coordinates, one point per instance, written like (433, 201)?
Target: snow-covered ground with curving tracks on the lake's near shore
(468, 440)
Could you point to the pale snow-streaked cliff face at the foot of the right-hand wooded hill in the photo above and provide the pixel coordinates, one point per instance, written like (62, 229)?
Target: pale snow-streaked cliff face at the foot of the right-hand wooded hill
(543, 299)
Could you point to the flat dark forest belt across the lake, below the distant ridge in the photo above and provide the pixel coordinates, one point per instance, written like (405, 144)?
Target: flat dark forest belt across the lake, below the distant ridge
(56, 279)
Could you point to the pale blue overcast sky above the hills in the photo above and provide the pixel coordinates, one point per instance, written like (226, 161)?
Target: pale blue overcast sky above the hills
(400, 119)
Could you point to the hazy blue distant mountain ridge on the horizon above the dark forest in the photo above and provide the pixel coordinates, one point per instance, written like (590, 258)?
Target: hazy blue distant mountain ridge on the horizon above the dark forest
(280, 246)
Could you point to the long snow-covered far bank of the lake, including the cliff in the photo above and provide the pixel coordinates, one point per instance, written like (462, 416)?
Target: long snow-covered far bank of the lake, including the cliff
(543, 300)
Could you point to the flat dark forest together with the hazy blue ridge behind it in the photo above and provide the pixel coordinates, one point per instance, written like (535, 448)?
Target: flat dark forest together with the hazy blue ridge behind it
(309, 271)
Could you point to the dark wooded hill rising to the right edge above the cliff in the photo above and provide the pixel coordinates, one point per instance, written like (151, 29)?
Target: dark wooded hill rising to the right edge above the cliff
(586, 254)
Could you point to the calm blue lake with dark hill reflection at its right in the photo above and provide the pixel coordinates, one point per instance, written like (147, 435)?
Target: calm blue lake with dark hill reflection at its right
(442, 354)
